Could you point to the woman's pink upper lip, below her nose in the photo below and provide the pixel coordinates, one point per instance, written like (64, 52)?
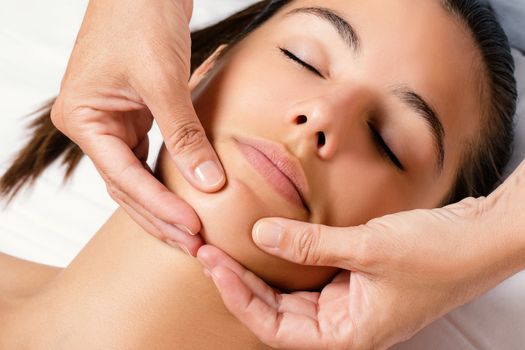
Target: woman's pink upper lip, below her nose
(284, 161)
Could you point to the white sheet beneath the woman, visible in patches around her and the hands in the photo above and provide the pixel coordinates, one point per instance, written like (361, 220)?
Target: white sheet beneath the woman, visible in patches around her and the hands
(51, 223)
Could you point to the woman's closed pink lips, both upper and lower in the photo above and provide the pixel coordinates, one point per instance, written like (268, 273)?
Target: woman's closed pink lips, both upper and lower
(283, 171)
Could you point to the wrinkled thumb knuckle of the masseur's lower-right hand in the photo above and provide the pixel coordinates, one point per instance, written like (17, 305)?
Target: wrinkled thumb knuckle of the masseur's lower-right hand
(306, 243)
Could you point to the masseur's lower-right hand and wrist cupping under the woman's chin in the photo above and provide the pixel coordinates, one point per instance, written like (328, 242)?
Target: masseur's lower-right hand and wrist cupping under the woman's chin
(407, 270)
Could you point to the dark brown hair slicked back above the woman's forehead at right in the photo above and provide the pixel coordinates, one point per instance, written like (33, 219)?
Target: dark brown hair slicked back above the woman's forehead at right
(484, 160)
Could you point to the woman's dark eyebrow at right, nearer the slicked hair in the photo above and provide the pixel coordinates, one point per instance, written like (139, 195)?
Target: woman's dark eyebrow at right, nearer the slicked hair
(424, 110)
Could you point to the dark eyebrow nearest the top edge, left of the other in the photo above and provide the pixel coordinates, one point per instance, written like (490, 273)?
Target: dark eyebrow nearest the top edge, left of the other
(343, 28)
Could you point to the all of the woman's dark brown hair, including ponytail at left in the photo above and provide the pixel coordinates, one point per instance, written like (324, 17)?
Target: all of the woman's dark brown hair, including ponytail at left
(483, 161)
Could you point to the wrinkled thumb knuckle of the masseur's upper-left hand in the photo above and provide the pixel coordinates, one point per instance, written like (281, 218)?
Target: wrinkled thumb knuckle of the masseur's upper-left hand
(186, 137)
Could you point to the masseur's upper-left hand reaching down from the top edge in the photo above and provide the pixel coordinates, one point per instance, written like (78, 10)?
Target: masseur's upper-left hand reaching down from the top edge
(130, 64)
